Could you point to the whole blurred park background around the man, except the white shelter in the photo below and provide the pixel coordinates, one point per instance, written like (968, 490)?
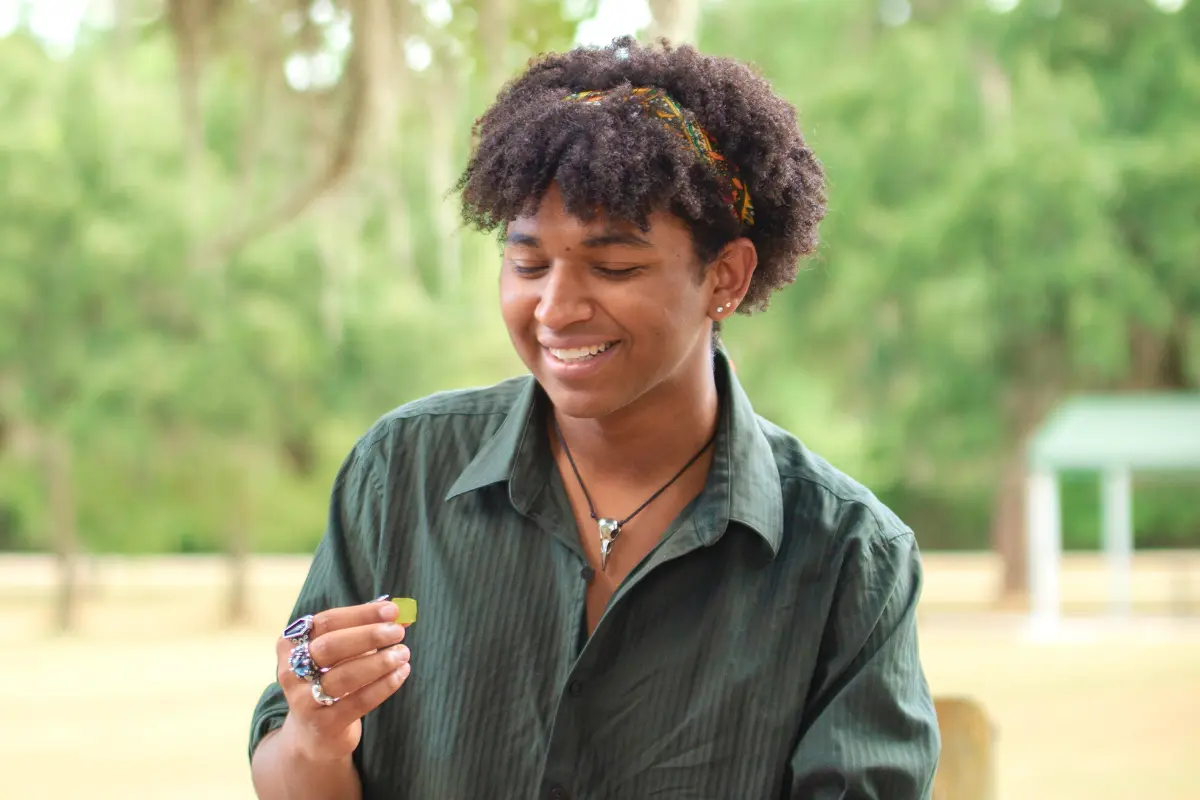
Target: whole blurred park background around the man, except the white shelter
(227, 246)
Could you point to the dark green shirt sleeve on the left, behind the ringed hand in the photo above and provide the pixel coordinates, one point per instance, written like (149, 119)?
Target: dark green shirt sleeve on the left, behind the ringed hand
(340, 575)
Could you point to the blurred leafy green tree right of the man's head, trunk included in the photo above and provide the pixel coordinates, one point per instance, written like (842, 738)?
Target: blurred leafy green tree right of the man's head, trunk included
(997, 184)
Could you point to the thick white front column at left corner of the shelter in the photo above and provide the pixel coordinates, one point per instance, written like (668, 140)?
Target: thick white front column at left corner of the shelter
(1045, 531)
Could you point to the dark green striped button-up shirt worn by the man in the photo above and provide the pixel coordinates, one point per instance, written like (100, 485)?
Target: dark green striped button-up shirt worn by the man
(767, 647)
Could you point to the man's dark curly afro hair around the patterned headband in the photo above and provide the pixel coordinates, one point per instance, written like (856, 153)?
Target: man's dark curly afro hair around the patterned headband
(611, 158)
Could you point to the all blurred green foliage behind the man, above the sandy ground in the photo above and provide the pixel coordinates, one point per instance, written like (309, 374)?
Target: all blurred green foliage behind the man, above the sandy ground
(1013, 218)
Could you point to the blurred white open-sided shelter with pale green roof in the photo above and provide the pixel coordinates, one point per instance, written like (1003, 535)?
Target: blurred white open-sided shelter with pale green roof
(1117, 436)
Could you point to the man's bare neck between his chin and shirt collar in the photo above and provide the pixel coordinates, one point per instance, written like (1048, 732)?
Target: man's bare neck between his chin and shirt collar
(656, 435)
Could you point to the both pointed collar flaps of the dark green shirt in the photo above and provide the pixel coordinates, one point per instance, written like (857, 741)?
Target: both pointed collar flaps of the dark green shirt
(743, 484)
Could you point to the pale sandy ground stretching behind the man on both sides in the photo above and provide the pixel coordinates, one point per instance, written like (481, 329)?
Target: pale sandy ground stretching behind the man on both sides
(161, 708)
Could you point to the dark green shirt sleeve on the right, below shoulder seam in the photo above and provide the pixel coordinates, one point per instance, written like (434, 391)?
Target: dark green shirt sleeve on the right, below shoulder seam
(871, 732)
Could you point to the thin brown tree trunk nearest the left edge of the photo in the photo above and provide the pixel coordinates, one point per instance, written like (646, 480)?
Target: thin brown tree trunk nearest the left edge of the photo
(61, 492)
